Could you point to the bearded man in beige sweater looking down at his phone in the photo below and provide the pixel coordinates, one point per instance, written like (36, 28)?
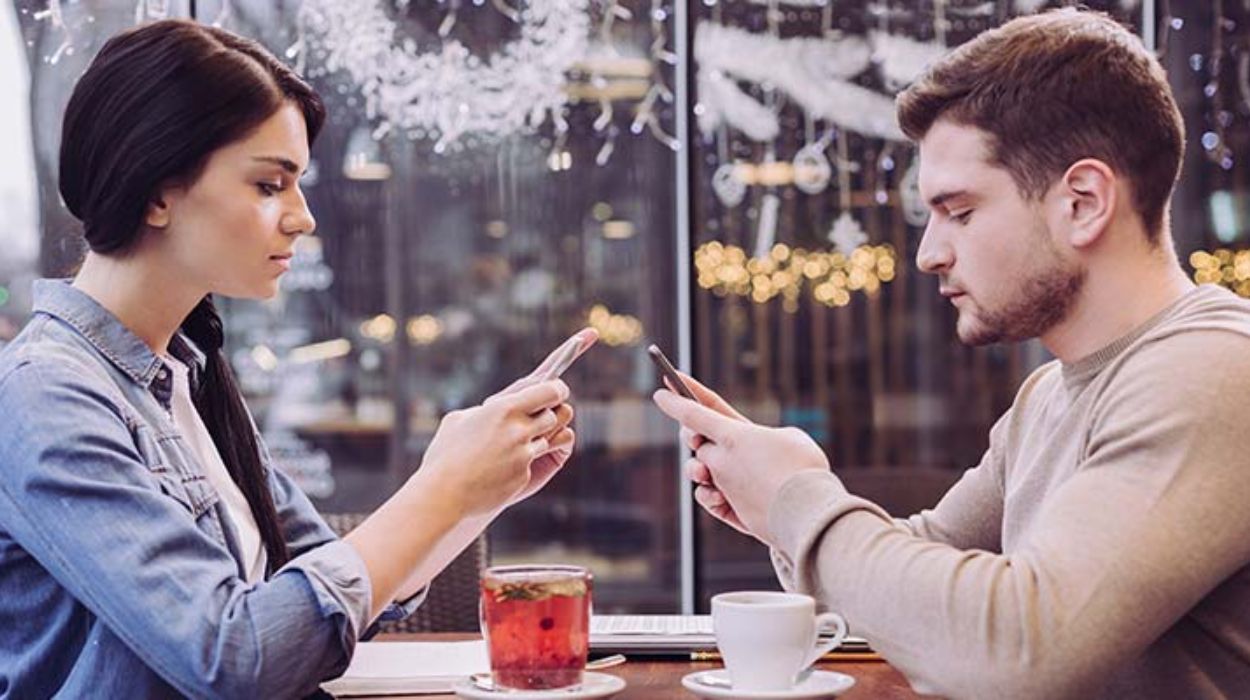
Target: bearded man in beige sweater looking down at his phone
(1102, 546)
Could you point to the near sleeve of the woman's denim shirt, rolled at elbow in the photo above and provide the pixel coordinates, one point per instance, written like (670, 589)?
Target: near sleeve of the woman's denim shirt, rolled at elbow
(78, 497)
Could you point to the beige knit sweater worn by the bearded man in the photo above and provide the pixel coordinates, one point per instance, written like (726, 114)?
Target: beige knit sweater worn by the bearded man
(1102, 549)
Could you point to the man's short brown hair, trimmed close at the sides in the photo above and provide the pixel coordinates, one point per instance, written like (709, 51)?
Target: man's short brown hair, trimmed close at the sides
(1053, 89)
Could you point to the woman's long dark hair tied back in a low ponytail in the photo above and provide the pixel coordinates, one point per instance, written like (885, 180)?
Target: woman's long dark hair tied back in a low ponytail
(156, 103)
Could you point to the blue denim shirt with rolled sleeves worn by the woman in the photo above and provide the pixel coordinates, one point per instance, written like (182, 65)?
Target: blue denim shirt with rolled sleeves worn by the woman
(119, 571)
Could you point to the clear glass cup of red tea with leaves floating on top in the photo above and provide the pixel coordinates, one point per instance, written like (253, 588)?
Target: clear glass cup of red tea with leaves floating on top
(537, 623)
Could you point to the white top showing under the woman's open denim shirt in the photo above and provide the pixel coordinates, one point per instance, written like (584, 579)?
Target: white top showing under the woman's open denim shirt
(188, 422)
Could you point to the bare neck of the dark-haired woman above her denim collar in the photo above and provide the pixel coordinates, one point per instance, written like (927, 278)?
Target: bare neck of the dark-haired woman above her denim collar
(142, 297)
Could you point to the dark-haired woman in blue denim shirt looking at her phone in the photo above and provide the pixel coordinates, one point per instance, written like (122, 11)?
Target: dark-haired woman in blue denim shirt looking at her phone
(148, 548)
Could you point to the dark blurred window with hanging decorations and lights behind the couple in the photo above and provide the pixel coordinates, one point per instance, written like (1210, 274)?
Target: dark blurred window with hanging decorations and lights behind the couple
(723, 178)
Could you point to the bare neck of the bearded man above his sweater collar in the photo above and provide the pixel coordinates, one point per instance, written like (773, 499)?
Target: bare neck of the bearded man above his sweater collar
(1117, 299)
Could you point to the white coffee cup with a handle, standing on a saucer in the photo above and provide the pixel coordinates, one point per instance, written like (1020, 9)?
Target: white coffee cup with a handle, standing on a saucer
(768, 638)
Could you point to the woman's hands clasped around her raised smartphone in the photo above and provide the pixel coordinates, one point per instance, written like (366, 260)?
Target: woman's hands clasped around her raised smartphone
(493, 456)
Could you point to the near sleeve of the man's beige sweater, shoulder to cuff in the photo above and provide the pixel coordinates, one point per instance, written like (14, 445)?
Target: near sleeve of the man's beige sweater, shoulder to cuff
(1151, 522)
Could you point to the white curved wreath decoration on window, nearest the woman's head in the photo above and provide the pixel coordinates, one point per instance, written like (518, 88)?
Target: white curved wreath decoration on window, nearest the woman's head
(451, 92)
